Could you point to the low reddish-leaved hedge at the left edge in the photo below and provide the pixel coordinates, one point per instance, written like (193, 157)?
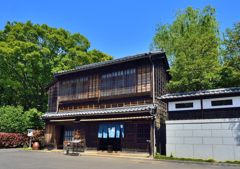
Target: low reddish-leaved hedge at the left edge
(10, 140)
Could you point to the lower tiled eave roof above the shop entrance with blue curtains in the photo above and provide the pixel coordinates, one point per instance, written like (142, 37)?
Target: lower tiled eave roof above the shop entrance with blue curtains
(99, 111)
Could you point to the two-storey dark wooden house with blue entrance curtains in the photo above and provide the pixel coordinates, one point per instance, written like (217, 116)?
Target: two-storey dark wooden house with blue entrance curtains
(109, 105)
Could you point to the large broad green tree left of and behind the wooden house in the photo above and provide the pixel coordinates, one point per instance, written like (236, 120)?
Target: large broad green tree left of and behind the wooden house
(30, 54)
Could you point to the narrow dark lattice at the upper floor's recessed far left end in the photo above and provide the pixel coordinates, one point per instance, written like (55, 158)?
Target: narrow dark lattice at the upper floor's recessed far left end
(52, 98)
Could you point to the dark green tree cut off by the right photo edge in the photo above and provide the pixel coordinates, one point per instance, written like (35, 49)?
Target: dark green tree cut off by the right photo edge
(230, 71)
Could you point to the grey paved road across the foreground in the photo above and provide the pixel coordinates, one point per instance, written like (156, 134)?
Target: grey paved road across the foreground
(20, 159)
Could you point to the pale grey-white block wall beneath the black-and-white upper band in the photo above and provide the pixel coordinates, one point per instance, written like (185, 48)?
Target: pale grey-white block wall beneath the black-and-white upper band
(203, 139)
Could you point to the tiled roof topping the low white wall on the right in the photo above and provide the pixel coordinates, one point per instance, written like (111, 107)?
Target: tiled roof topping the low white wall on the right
(201, 93)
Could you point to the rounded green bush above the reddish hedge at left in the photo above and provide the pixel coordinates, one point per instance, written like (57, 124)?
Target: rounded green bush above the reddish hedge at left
(15, 120)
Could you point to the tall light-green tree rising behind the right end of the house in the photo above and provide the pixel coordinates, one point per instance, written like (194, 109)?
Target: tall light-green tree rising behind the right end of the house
(191, 43)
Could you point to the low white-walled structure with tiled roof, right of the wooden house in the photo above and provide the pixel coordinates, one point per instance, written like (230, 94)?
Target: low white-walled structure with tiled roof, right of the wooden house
(204, 124)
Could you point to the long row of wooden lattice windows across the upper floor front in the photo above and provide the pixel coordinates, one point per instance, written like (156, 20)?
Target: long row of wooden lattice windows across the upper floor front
(112, 83)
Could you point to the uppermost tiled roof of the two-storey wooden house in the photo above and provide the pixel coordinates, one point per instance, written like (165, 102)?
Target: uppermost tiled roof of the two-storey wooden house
(109, 62)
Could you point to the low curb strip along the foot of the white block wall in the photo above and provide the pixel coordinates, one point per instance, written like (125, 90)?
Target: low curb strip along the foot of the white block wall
(200, 163)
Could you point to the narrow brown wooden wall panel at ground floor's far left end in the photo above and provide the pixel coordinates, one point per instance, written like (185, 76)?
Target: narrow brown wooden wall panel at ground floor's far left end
(48, 134)
